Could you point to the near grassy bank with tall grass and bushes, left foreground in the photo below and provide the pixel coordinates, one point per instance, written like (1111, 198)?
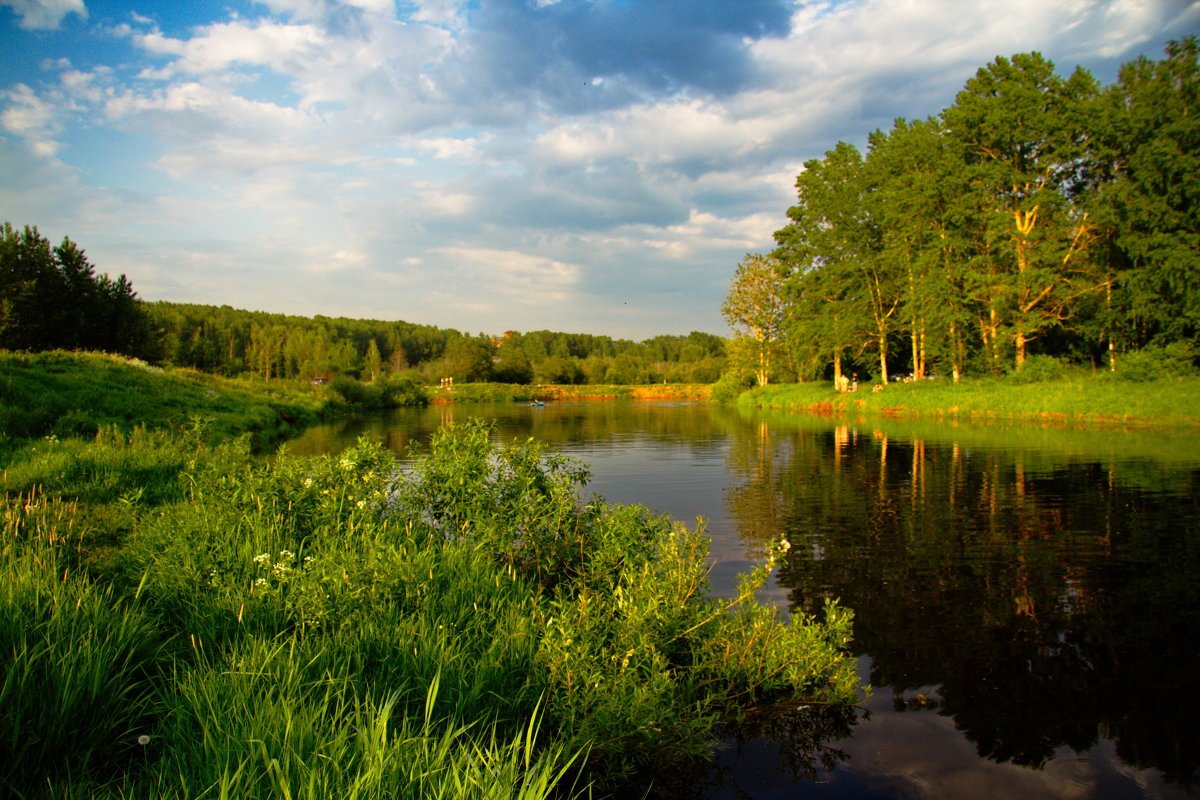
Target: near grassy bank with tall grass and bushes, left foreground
(183, 619)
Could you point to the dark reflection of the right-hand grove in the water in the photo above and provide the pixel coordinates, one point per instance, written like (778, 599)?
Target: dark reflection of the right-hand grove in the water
(1052, 601)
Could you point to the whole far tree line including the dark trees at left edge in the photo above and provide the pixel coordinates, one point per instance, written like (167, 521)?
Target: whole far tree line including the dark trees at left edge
(52, 298)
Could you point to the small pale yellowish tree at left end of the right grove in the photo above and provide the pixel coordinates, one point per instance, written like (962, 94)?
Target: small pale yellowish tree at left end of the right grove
(754, 309)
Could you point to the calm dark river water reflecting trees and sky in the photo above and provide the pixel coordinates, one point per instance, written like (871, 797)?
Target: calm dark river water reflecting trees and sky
(1028, 600)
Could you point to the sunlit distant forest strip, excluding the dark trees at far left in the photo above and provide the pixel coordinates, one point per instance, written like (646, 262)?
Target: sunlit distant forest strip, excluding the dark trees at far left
(233, 342)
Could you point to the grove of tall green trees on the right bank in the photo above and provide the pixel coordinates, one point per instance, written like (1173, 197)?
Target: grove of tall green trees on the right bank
(1039, 216)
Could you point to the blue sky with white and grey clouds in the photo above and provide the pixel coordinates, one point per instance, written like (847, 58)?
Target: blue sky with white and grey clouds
(581, 166)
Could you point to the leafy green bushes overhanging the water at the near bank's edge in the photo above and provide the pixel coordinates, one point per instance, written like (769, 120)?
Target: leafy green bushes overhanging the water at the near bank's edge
(641, 664)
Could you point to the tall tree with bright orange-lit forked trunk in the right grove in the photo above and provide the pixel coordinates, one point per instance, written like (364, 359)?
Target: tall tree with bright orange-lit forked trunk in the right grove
(1023, 131)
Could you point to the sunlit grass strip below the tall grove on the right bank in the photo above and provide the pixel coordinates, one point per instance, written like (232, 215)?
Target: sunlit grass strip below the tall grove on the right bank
(1091, 399)
